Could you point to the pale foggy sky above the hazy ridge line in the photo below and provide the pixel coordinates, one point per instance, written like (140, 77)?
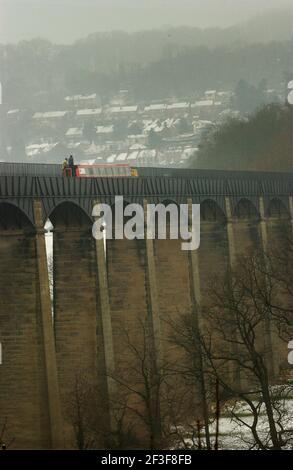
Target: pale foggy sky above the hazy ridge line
(64, 21)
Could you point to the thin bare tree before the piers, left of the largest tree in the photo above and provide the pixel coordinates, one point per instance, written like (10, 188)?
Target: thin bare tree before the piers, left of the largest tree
(144, 392)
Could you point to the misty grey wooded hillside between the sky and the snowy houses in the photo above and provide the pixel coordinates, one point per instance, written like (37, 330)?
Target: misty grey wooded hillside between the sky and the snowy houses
(152, 65)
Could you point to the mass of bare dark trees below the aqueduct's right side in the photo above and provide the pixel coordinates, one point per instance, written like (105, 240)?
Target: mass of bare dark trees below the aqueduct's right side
(177, 403)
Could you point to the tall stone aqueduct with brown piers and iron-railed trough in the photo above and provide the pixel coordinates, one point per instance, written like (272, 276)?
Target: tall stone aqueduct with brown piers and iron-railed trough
(93, 292)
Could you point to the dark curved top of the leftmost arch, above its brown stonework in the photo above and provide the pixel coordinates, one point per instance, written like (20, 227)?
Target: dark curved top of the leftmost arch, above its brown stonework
(14, 218)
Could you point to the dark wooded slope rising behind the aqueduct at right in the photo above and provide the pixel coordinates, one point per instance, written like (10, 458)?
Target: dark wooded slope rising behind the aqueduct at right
(263, 141)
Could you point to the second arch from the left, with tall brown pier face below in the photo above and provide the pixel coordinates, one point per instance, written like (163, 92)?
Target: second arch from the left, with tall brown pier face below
(77, 314)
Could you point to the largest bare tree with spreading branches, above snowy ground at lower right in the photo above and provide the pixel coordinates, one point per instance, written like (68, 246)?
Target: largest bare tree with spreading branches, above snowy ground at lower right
(234, 339)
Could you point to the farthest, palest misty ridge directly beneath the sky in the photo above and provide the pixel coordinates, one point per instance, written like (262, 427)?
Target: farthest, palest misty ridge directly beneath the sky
(147, 46)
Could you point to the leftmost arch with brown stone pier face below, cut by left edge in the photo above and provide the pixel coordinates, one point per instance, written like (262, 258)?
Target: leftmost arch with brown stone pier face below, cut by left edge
(23, 382)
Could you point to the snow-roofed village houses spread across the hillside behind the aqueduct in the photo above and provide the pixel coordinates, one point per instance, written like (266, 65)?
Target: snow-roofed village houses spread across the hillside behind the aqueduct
(89, 130)
